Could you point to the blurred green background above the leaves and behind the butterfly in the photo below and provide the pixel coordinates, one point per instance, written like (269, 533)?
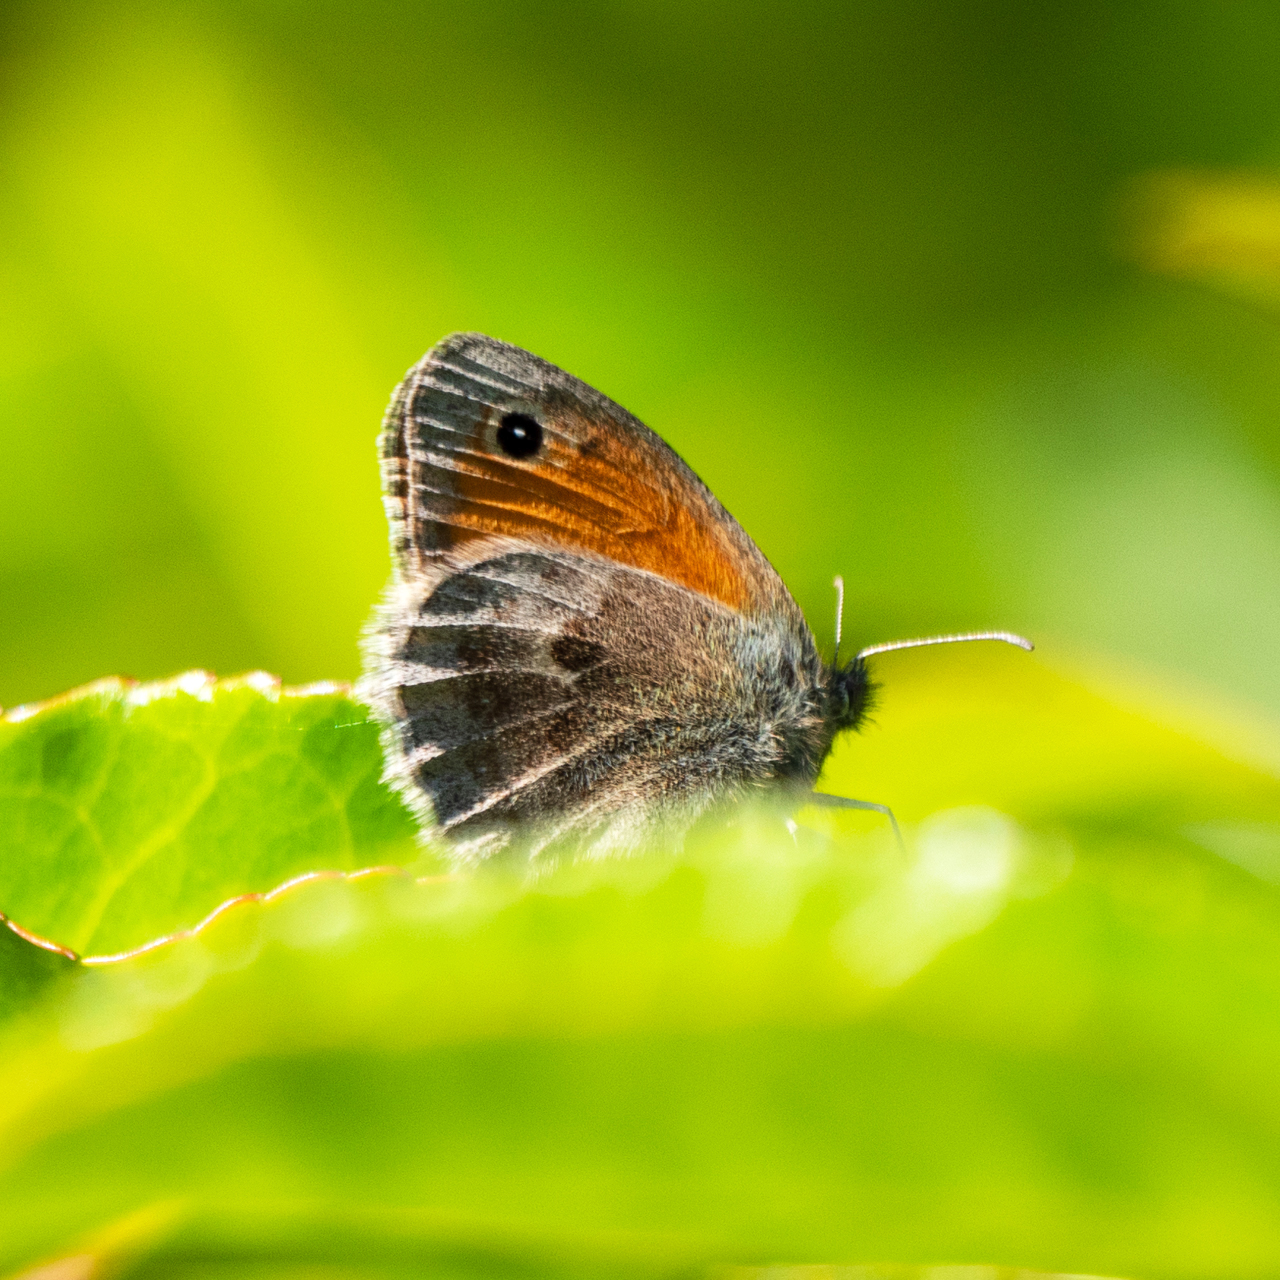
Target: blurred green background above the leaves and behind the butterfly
(968, 301)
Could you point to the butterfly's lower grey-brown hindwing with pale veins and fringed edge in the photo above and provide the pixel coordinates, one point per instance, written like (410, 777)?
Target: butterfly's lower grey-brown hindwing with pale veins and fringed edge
(569, 697)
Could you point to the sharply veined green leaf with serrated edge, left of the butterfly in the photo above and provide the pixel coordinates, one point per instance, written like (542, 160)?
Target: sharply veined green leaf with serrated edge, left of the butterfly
(135, 811)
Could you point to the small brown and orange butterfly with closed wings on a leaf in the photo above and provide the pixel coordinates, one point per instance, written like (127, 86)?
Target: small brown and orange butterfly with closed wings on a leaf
(580, 648)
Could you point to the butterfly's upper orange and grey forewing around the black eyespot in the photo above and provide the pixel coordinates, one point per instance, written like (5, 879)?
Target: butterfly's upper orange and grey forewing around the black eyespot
(601, 482)
